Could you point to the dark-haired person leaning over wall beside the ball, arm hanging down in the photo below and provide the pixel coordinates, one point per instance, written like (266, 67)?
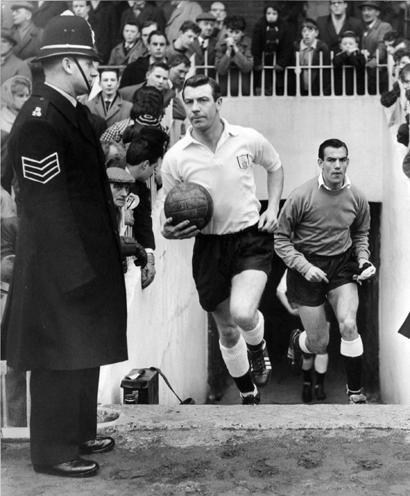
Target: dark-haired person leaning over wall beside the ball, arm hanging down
(146, 148)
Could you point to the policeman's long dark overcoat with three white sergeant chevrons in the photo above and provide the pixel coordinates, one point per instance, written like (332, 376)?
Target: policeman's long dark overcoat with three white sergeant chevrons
(67, 307)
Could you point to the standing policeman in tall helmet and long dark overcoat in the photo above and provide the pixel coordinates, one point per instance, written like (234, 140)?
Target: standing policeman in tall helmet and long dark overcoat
(67, 310)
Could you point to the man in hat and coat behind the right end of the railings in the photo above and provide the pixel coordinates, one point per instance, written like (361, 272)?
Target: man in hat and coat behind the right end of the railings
(372, 44)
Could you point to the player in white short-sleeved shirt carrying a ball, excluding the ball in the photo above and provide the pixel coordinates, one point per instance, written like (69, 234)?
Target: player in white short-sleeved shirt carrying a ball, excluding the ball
(233, 252)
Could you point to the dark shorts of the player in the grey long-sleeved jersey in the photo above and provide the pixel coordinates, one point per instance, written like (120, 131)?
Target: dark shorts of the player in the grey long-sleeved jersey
(339, 269)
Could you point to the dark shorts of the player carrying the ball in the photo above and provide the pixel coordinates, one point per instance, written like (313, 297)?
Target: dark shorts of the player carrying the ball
(217, 258)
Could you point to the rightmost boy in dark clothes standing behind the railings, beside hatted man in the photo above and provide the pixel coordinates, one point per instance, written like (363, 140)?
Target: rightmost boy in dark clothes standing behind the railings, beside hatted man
(349, 66)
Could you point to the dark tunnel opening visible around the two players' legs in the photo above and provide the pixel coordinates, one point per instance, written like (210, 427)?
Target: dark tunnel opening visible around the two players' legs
(285, 384)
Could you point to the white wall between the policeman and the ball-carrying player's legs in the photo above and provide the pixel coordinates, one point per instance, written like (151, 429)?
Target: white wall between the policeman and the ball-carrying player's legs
(166, 326)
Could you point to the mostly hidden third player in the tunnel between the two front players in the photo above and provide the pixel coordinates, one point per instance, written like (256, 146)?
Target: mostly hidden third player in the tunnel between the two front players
(317, 362)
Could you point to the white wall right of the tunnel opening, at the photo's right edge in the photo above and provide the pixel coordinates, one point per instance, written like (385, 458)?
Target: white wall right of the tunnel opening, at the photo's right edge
(394, 275)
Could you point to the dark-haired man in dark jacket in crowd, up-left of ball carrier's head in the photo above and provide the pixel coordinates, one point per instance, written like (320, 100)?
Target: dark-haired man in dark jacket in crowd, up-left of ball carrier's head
(135, 73)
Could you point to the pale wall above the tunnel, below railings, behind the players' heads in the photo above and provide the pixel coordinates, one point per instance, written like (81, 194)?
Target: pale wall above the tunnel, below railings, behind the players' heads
(297, 126)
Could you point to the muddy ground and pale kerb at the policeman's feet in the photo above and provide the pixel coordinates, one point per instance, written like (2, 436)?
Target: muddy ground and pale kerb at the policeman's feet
(274, 450)
